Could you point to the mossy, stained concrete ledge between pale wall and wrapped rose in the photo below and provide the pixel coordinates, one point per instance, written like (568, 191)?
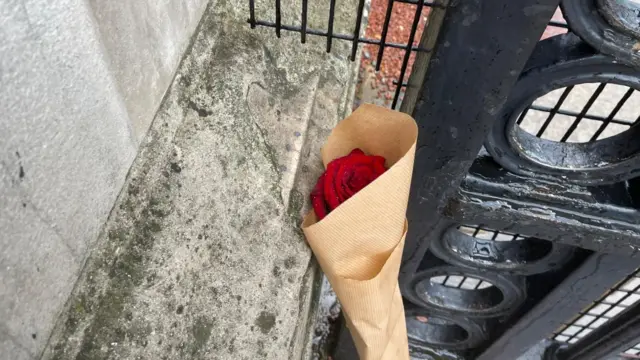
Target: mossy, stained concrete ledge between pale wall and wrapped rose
(202, 256)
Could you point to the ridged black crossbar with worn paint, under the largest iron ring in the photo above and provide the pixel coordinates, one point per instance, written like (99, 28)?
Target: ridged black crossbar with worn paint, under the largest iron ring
(607, 220)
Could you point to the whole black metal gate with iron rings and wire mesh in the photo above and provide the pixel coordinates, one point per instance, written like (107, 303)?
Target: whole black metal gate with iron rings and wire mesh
(524, 214)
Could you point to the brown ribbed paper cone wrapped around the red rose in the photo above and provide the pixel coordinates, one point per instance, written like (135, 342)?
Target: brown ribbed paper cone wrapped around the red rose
(359, 244)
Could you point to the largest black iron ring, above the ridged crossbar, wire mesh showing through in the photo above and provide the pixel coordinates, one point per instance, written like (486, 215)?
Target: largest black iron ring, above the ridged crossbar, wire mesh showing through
(559, 62)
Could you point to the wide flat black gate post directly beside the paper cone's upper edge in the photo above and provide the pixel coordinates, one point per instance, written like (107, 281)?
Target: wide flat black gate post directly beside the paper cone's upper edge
(481, 48)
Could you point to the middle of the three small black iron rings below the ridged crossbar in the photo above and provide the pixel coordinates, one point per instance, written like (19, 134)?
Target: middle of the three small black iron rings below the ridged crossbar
(504, 295)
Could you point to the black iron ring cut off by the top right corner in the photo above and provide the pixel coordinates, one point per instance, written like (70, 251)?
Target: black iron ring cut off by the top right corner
(610, 26)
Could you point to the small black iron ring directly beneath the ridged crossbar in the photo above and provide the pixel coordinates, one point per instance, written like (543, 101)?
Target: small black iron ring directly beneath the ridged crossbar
(522, 257)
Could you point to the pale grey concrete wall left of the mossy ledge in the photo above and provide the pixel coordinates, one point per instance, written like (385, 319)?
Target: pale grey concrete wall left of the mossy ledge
(80, 82)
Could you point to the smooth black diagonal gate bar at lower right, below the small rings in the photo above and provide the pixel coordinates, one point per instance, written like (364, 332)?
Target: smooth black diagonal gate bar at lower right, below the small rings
(595, 276)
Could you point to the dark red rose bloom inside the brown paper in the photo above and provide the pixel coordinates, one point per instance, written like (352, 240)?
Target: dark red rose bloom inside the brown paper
(344, 177)
